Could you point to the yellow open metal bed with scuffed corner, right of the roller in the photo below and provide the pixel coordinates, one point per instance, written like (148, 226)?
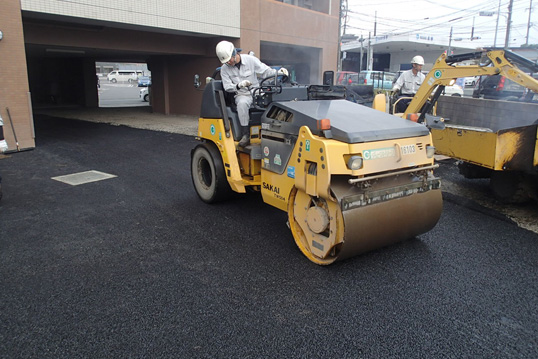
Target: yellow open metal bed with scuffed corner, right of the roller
(500, 135)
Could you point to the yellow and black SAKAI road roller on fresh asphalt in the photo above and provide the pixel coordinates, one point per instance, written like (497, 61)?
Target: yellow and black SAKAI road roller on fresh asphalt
(351, 179)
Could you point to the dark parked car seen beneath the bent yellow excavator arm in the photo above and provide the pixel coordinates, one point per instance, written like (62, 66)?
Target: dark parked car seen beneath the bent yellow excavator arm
(498, 87)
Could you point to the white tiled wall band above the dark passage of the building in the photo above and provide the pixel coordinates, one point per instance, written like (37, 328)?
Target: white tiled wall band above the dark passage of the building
(200, 16)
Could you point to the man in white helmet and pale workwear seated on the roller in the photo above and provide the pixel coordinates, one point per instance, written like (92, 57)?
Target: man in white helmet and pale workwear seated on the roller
(239, 74)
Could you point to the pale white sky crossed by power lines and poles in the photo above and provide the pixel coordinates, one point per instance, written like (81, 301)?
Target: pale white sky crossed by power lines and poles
(437, 17)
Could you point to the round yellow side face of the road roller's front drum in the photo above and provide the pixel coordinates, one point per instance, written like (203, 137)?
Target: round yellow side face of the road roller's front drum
(317, 226)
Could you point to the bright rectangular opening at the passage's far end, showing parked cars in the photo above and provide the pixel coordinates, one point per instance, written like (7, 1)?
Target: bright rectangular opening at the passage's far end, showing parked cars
(123, 84)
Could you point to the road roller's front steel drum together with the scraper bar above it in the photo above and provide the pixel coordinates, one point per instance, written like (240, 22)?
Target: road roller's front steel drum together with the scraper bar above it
(361, 218)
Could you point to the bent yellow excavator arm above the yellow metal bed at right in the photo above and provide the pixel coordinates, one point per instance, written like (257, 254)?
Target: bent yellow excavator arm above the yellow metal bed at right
(445, 73)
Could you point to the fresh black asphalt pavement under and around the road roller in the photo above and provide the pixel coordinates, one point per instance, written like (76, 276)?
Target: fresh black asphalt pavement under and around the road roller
(136, 266)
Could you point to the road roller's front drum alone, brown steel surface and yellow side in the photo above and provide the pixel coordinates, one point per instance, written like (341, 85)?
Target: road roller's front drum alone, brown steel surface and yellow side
(325, 233)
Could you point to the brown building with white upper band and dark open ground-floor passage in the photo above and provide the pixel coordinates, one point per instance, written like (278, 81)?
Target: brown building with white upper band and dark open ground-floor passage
(50, 47)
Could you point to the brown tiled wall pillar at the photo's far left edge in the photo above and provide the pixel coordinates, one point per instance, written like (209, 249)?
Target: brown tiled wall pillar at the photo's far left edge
(14, 93)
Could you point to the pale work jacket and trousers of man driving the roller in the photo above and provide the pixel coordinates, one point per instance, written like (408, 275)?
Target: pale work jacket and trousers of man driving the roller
(249, 69)
